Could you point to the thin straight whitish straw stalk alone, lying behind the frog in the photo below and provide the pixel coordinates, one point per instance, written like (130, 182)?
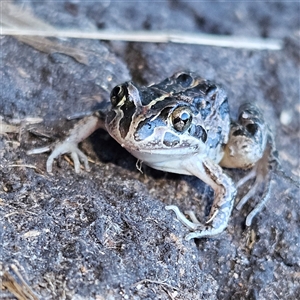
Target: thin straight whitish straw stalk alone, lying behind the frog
(156, 37)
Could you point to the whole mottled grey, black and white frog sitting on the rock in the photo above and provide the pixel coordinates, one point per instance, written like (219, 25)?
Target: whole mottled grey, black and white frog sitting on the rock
(183, 125)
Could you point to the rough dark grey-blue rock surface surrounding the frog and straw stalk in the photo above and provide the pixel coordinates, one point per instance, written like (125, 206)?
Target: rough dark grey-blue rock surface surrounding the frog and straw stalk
(105, 234)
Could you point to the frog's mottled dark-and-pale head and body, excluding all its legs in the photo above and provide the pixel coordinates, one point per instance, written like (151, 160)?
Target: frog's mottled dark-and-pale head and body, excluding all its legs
(167, 124)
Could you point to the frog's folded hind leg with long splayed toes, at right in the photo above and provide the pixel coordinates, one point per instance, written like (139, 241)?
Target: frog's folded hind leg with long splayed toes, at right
(251, 144)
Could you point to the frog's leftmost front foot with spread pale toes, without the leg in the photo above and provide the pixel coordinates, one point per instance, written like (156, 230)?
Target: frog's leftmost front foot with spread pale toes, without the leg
(62, 148)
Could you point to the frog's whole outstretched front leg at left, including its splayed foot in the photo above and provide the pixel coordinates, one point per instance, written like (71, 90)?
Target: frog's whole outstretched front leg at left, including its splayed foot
(80, 132)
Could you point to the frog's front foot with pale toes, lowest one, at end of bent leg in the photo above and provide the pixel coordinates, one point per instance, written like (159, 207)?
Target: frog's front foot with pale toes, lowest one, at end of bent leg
(213, 226)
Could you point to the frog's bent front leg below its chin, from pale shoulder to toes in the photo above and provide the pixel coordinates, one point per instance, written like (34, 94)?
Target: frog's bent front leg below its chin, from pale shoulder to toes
(225, 192)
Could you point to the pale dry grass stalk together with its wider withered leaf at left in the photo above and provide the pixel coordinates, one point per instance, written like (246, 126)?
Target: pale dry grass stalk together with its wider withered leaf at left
(20, 22)
